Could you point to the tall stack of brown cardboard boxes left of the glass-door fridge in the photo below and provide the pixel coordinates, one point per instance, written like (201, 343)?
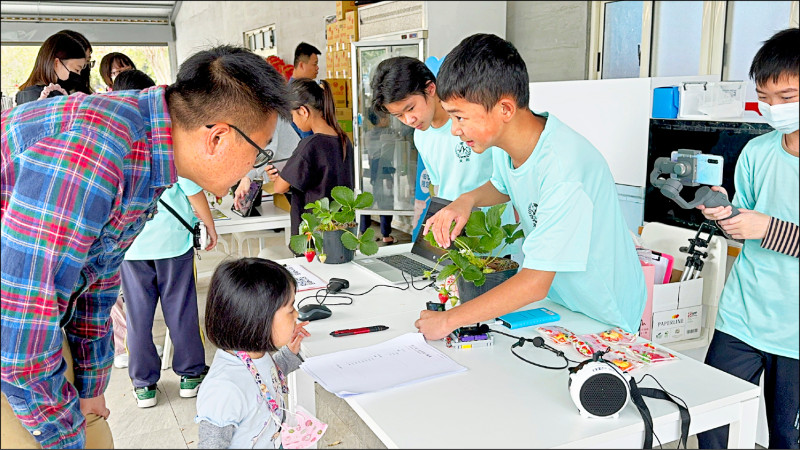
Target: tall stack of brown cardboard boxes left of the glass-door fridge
(338, 63)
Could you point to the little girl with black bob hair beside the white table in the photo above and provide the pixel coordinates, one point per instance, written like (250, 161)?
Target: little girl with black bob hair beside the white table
(249, 314)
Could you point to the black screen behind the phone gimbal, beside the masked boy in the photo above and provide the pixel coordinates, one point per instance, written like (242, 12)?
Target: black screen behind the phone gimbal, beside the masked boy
(726, 139)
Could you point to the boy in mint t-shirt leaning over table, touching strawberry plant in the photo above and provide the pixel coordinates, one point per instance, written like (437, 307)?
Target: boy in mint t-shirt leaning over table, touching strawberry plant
(577, 248)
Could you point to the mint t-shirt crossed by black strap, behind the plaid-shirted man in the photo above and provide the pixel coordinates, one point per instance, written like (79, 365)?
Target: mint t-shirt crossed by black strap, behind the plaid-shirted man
(164, 236)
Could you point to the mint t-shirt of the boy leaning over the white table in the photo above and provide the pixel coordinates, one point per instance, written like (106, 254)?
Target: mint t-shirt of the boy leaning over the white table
(573, 224)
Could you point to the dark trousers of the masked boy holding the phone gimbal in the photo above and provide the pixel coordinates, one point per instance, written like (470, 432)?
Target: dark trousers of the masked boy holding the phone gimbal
(735, 357)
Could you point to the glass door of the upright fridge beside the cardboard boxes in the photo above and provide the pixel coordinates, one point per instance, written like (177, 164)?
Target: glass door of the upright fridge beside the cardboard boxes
(386, 159)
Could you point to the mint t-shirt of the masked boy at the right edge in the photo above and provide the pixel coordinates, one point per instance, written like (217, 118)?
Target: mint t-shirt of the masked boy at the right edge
(759, 303)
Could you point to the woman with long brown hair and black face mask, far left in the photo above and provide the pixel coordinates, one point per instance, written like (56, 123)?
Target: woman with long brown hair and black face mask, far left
(57, 69)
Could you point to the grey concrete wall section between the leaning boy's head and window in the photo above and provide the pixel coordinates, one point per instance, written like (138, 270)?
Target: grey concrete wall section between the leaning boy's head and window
(552, 38)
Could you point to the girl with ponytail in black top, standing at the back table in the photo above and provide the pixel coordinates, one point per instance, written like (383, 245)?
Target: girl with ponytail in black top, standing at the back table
(321, 161)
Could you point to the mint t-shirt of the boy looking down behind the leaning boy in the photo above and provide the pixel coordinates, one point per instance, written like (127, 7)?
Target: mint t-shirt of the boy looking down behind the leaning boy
(455, 169)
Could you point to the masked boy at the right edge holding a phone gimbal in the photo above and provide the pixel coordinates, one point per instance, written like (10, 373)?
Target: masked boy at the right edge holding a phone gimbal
(757, 321)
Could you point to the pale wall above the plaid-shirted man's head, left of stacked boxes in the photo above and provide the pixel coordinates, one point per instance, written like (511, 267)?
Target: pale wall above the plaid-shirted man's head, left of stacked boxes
(200, 25)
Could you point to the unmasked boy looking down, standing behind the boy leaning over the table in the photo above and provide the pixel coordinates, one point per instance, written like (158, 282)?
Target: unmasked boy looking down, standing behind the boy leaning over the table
(405, 88)
